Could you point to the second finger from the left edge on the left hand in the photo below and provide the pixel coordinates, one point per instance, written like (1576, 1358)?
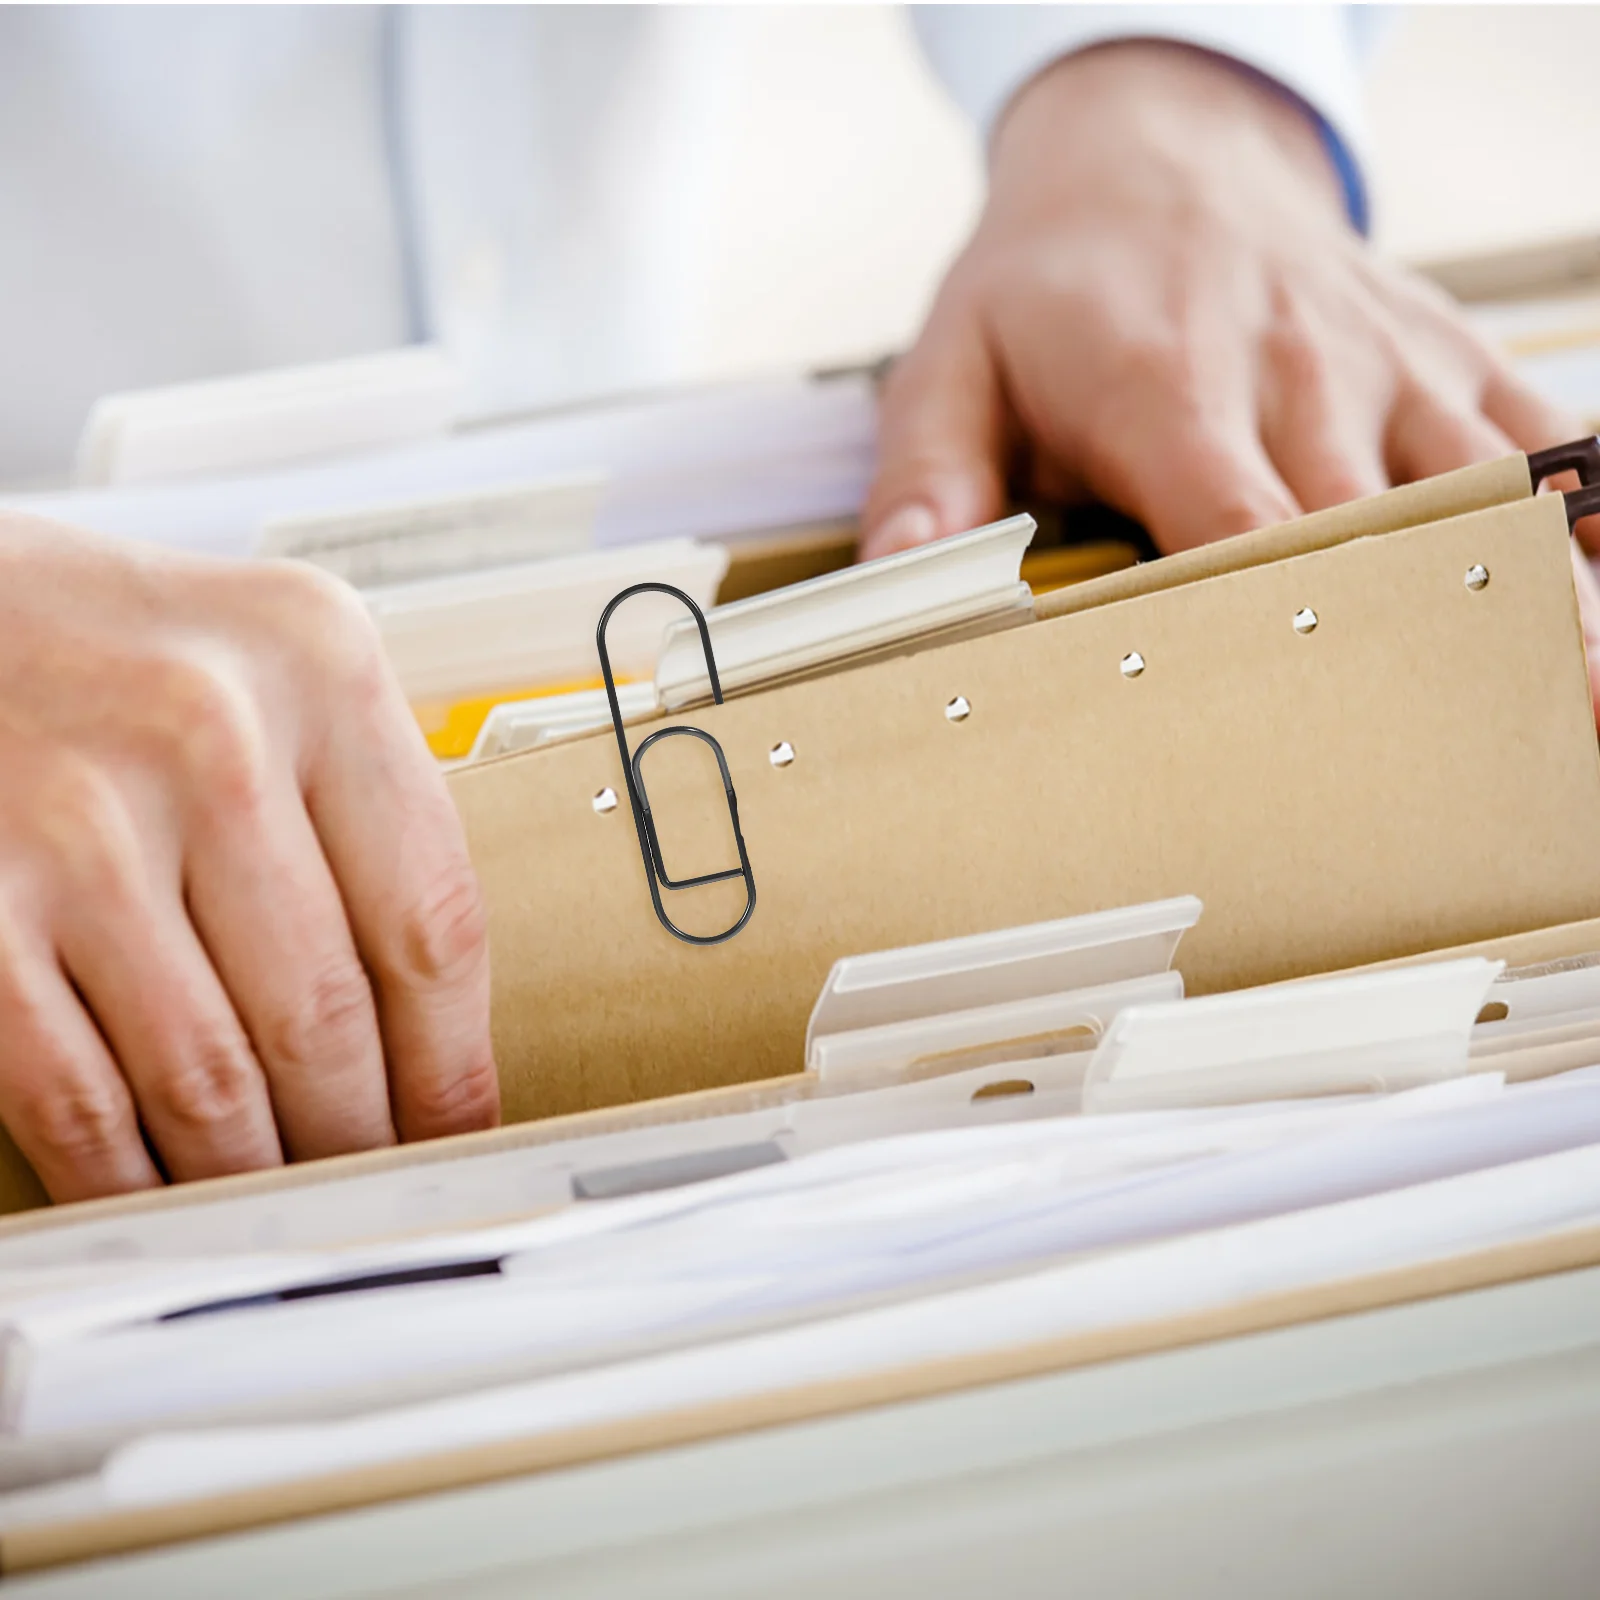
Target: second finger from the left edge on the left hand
(127, 945)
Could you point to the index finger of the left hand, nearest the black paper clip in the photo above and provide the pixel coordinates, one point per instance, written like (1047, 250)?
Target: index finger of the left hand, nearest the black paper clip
(401, 863)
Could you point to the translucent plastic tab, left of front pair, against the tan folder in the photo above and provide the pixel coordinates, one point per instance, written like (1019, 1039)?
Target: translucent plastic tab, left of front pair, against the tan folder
(1018, 980)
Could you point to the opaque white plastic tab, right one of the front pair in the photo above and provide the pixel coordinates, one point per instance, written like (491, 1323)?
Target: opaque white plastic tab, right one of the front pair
(1330, 1036)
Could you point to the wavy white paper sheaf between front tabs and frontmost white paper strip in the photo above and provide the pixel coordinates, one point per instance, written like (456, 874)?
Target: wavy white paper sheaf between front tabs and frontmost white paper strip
(785, 1242)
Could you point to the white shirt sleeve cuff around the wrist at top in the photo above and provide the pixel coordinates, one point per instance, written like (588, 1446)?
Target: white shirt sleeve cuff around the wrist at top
(985, 54)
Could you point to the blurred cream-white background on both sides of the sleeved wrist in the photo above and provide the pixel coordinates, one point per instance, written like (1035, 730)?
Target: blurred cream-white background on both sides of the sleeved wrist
(831, 231)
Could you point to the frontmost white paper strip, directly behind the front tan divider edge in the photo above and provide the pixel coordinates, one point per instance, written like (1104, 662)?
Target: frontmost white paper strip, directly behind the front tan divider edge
(1209, 1270)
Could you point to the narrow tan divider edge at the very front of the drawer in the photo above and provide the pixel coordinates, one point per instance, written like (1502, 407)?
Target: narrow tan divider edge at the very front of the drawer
(121, 1532)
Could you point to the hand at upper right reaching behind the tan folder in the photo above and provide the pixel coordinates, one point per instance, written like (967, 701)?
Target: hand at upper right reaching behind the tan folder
(1166, 310)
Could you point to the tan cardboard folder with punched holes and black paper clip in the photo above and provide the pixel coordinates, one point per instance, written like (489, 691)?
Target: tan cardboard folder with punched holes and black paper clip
(1358, 737)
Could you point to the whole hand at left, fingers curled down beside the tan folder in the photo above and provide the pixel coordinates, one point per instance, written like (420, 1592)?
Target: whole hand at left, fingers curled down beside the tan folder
(238, 919)
